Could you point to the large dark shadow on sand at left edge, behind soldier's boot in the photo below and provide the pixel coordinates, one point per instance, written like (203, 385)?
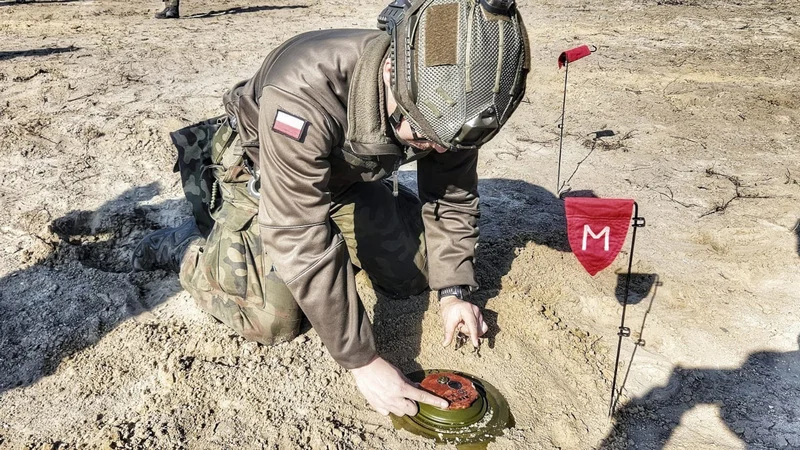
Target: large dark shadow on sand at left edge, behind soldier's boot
(79, 290)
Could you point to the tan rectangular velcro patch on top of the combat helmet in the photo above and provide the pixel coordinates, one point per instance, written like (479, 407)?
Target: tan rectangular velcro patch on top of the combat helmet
(441, 28)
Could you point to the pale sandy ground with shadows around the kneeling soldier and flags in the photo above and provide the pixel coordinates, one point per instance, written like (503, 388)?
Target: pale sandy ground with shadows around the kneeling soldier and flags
(698, 103)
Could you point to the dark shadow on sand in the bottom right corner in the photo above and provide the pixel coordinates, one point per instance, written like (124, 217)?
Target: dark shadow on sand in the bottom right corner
(759, 402)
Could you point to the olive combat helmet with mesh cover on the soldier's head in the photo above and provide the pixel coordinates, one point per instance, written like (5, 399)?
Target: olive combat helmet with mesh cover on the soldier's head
(458, 67)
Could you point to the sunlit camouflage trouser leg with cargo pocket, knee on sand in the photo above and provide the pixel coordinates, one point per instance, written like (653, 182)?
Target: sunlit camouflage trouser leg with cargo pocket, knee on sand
(230, 276)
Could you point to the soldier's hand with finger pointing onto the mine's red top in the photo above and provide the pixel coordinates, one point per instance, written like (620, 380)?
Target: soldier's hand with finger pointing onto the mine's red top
(389, 391)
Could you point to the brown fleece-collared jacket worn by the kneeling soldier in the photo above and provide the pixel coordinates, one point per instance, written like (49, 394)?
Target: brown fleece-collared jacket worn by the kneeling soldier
(330, 81)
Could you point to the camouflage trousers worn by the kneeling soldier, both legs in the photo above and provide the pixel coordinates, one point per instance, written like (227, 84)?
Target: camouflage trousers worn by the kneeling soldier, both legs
(229, 274)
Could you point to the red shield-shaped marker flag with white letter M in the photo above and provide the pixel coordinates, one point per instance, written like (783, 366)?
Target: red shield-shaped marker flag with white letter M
(596, 228)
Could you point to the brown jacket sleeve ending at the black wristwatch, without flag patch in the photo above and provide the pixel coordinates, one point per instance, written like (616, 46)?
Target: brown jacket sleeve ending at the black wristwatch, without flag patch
(448, 188)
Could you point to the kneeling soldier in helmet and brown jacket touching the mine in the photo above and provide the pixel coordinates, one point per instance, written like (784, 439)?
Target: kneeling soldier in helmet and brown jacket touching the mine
(297, 184)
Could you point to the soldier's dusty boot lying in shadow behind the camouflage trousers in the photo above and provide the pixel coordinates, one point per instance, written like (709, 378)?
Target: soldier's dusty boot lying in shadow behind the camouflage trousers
(164, 249)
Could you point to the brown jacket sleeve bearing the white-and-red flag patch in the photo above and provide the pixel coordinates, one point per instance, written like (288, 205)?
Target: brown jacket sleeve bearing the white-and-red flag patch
(296, 229)
